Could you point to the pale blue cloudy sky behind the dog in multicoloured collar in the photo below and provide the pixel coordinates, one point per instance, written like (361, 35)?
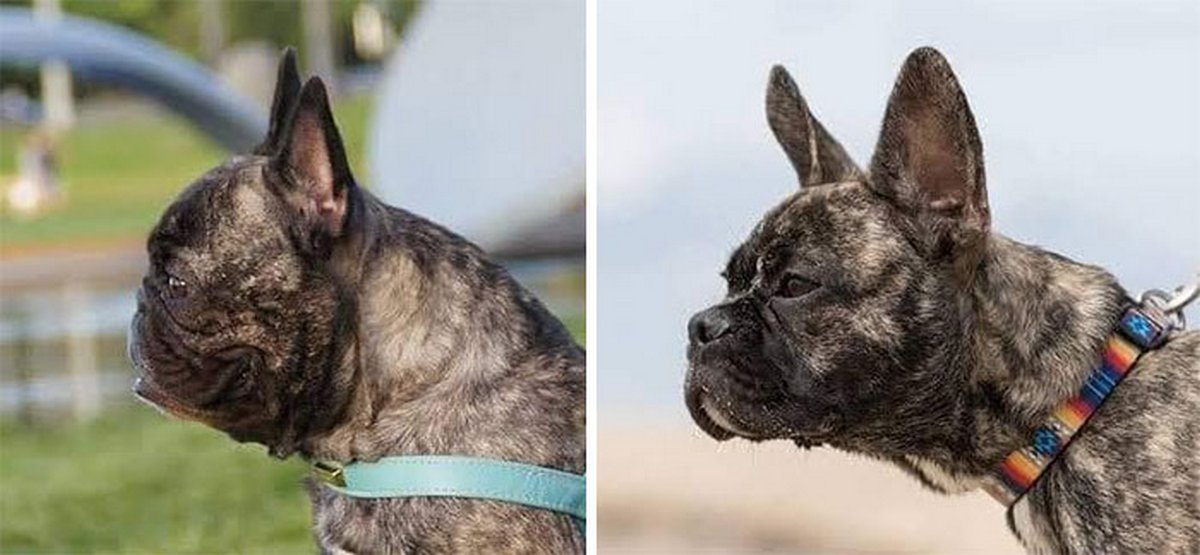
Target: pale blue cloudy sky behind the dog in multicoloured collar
(1088, 112)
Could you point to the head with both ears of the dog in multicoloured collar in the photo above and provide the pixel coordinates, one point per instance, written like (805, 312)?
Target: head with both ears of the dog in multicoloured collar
(847, 289)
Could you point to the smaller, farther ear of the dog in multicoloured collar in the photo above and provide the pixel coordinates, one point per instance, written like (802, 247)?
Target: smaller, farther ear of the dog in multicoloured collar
(815, 154)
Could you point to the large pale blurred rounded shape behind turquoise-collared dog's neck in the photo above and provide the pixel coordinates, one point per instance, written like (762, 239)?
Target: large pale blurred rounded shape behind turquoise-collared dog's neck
(481, 118)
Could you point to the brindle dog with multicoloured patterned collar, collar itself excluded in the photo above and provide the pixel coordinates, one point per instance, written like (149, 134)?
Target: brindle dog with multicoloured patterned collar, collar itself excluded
(878, 313)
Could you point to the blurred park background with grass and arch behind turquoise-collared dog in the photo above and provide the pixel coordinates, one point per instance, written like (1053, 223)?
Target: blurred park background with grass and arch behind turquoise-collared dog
(467, 112)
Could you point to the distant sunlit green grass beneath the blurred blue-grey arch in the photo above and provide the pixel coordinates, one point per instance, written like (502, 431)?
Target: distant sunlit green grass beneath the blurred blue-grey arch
(121, 176)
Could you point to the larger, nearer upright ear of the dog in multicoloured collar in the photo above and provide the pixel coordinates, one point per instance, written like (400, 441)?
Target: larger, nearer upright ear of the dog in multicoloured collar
(929, 158)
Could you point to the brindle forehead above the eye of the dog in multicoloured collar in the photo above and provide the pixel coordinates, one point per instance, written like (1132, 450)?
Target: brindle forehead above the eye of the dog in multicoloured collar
(841, 225)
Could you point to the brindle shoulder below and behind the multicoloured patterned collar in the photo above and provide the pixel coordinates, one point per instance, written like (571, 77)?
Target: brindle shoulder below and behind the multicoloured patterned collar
(1145, 438)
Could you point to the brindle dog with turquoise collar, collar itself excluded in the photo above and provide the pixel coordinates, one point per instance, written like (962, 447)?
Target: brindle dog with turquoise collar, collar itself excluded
(289, 307)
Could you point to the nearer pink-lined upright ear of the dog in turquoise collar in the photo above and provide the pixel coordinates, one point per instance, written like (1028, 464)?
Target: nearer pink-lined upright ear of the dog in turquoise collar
(313, 162)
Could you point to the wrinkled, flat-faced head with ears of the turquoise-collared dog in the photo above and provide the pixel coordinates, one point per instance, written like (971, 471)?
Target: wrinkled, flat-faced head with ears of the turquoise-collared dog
(239, 314)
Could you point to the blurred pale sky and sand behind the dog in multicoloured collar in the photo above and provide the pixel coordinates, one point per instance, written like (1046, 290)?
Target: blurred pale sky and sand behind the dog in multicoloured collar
(1091, 132)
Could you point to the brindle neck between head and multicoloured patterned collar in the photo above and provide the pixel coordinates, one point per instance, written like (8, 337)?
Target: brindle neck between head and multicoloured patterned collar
(1035, 327)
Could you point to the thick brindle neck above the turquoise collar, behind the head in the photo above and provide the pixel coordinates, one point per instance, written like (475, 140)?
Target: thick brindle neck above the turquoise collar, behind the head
(446, 342)
